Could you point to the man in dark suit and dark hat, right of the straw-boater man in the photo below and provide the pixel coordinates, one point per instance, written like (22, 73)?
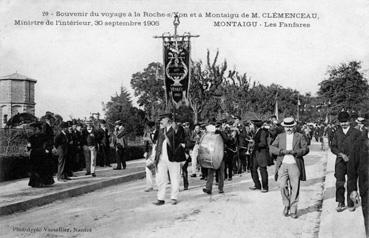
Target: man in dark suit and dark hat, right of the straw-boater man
(342, 145)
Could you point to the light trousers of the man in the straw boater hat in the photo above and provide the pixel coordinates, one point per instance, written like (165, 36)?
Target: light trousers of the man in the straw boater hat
(289, 181)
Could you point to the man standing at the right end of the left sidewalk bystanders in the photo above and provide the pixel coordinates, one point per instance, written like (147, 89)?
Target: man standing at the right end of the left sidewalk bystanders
(120, 145)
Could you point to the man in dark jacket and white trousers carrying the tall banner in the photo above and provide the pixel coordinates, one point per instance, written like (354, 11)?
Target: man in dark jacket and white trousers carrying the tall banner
(170, 151)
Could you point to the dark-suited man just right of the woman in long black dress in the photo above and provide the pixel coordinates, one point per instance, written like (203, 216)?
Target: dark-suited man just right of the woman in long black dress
(61, 144)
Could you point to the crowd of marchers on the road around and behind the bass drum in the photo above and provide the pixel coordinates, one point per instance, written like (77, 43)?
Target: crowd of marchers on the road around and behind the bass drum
(250, 147)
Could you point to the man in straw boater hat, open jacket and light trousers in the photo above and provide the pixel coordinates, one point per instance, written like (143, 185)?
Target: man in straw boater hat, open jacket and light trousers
(290, 147)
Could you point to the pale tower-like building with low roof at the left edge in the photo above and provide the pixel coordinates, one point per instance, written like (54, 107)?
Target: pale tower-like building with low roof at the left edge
(17, 95)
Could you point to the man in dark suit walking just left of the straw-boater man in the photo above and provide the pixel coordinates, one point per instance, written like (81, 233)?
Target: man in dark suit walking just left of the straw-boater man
(260, 157)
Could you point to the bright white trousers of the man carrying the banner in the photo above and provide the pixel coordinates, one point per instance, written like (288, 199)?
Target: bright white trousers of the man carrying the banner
(174, 169)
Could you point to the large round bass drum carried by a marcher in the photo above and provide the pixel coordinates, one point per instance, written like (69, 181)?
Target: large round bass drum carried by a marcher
(211, 151)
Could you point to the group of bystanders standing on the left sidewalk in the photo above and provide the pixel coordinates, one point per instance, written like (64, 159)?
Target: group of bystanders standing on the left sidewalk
(77, 145)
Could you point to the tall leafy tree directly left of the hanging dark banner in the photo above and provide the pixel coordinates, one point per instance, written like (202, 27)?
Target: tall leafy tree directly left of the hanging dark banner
(148, 87)
